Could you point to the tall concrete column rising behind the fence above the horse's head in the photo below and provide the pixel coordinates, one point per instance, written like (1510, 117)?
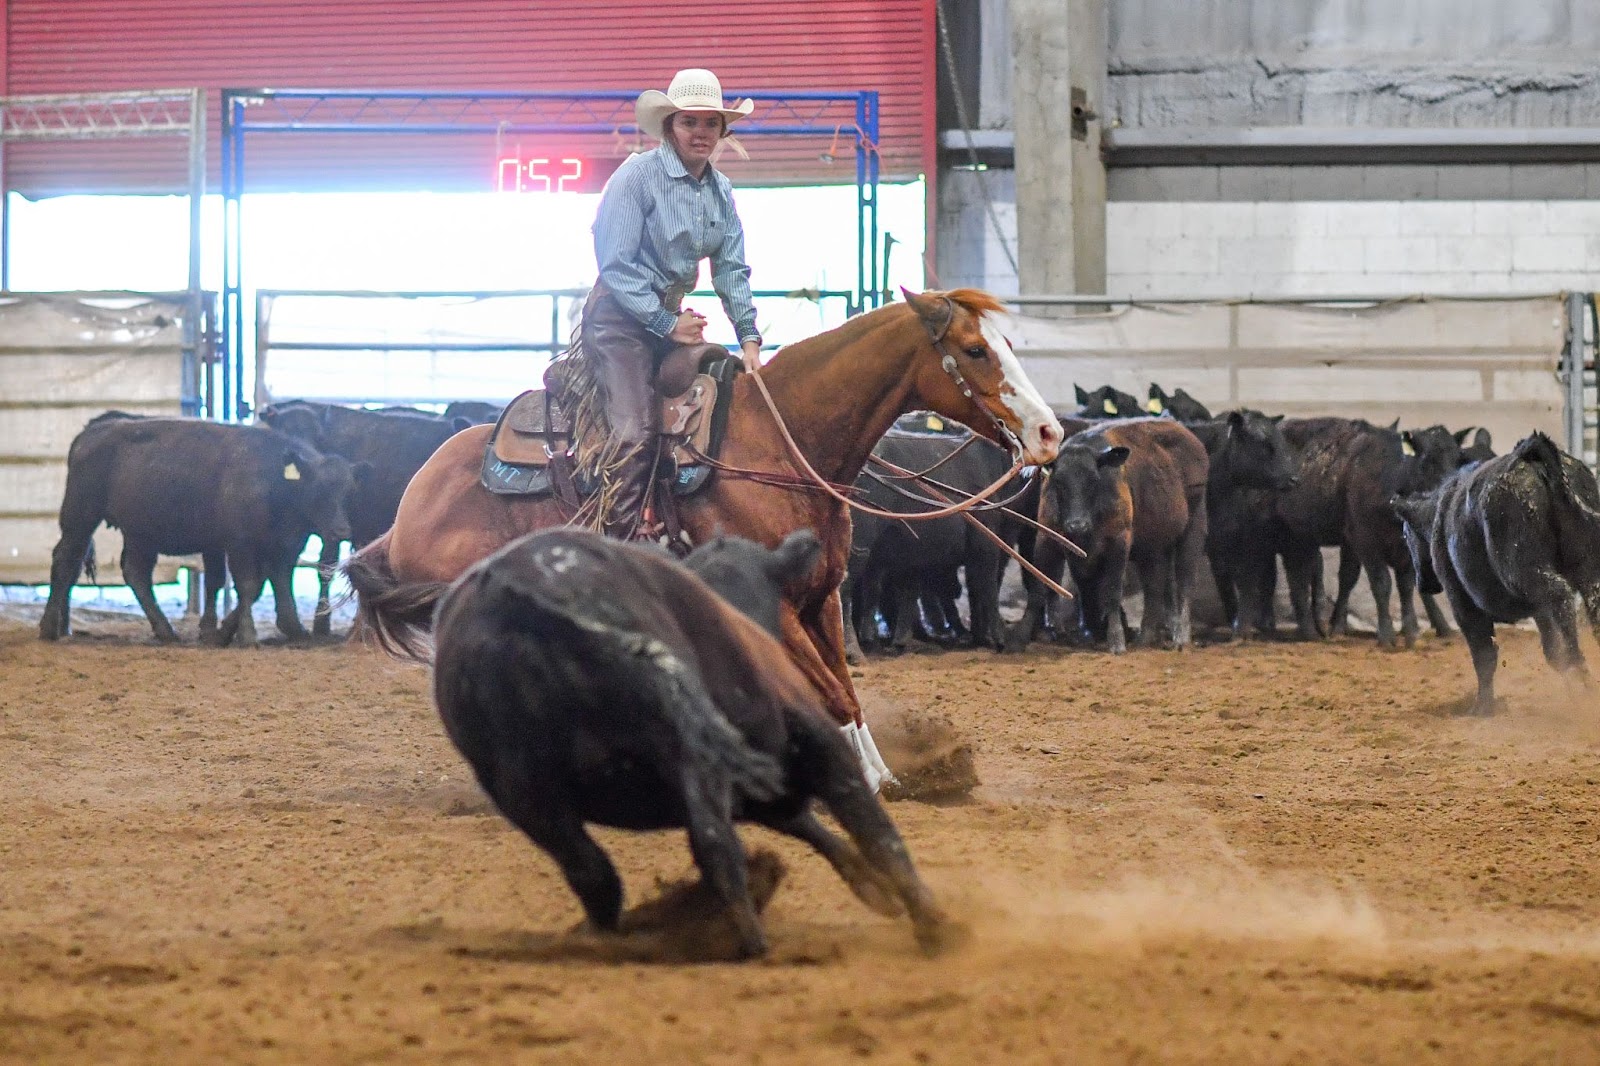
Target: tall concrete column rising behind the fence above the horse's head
(1058, 86)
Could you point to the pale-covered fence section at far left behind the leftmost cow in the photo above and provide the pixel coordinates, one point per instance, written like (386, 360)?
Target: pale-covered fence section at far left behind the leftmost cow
(66, 358)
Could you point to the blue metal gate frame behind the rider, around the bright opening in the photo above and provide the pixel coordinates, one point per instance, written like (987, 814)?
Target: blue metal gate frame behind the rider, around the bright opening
(390, 111)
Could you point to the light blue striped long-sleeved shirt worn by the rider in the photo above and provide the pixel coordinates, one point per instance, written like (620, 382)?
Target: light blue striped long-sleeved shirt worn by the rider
(655, 225)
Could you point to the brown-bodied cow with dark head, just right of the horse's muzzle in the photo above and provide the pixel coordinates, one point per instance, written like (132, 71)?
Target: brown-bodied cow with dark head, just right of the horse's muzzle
(1130, 491)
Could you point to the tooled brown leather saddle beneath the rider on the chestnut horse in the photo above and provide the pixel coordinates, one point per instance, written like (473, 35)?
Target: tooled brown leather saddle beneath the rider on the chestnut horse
(532, 451)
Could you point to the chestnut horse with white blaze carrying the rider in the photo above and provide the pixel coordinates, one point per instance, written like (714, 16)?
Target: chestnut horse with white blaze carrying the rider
(838, 393)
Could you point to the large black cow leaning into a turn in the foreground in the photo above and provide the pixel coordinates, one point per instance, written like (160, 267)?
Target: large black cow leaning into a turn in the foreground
(591, 681)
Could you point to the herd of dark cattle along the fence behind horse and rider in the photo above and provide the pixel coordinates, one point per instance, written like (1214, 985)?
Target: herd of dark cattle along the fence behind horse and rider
(1146, 492)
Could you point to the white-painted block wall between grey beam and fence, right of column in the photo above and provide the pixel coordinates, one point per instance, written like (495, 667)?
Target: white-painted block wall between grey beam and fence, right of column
(1348, 247)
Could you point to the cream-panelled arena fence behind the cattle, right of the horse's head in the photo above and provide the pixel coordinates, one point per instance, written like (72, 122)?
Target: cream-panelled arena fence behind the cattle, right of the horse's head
(1498, 363)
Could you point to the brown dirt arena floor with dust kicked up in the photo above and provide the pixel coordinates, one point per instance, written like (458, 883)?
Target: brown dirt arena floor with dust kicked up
(1241, 854)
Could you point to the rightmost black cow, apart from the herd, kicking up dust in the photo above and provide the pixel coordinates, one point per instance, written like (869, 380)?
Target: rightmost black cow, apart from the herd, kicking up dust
(1506, 540)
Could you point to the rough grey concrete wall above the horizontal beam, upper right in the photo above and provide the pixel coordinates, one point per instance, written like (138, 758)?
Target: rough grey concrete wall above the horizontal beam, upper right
(1343, 63)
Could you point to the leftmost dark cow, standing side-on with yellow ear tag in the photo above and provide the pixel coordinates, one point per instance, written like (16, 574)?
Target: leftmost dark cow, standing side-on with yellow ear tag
(178, 487)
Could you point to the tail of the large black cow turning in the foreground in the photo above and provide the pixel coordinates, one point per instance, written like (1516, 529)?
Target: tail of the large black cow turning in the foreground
(662, 683)
